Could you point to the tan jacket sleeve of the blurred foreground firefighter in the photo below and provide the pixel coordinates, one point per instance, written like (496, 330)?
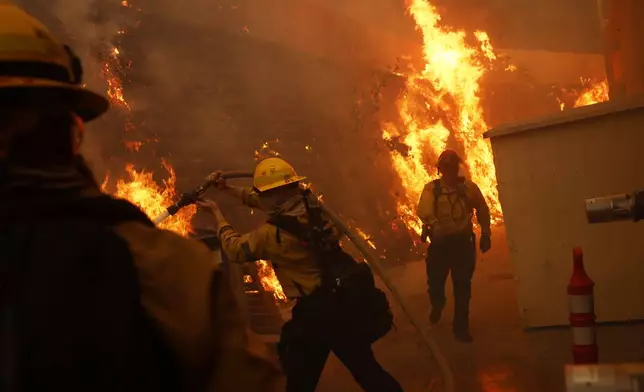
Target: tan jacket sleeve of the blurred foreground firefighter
(194, 307)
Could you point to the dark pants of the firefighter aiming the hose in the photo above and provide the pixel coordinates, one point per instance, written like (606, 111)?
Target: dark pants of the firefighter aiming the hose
(308, 348)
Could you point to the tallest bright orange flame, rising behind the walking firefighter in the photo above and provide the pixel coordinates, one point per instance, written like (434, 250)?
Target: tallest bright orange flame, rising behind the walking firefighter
(442, 103)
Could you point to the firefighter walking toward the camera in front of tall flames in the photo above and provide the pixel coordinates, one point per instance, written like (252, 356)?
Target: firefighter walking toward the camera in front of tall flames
(446, 207)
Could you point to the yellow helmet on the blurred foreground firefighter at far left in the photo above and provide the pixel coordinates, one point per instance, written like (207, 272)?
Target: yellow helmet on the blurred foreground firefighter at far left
(31, 59)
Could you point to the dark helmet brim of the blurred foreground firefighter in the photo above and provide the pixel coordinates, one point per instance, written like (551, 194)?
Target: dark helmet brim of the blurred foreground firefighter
(87, 104)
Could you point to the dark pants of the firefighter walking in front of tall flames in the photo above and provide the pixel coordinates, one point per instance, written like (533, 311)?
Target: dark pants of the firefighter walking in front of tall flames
(454, 254)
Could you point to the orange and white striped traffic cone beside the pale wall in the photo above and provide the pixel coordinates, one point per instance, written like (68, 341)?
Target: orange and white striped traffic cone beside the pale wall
(582, 312)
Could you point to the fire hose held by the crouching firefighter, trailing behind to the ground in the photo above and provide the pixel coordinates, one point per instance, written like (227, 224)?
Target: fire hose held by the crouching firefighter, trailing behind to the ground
(362, 246)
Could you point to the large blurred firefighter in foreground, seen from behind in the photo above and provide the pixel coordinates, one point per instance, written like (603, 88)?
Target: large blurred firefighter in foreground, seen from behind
(92, 296)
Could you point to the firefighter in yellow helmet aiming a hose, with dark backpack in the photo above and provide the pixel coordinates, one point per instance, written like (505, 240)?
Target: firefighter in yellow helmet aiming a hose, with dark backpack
(338, 309)
